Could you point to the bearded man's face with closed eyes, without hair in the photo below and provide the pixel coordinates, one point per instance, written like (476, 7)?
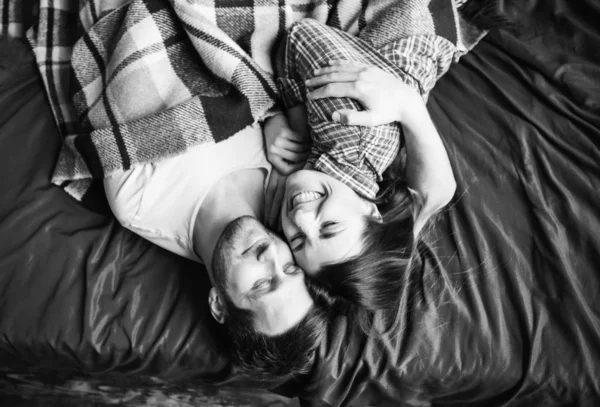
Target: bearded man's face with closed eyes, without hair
(260, 275)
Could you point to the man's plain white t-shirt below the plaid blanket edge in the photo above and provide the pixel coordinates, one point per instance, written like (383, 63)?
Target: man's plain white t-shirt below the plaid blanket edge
(159, 201)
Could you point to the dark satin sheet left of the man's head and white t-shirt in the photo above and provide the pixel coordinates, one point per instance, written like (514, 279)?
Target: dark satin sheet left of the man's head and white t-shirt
(78, 291)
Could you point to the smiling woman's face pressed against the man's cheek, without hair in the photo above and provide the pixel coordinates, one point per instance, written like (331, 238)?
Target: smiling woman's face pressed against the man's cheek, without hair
(323, 219)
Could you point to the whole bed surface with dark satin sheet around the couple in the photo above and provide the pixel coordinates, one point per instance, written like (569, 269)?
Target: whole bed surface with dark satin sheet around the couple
(505, 312)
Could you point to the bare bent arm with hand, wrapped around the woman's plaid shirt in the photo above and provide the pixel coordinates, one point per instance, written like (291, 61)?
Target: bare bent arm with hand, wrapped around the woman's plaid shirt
(385, 99)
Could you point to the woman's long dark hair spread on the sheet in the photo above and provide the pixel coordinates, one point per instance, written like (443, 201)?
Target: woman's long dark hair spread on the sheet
(370, 284)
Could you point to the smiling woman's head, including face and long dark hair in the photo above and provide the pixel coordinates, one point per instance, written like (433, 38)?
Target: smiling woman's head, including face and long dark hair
(360, 258)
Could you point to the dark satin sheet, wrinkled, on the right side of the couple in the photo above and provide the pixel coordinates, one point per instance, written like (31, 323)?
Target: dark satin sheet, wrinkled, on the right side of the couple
(507, 308)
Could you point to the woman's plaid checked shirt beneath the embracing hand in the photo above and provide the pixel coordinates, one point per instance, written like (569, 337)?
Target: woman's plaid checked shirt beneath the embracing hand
(356, 155)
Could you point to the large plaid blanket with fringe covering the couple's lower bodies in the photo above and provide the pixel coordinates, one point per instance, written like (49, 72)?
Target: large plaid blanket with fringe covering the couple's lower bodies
(135, 81)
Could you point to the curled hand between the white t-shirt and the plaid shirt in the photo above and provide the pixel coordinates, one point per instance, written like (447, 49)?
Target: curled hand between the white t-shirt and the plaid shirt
(286, 149)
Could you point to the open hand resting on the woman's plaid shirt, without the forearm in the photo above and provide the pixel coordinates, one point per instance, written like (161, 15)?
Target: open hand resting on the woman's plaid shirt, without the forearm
(384, 97)
